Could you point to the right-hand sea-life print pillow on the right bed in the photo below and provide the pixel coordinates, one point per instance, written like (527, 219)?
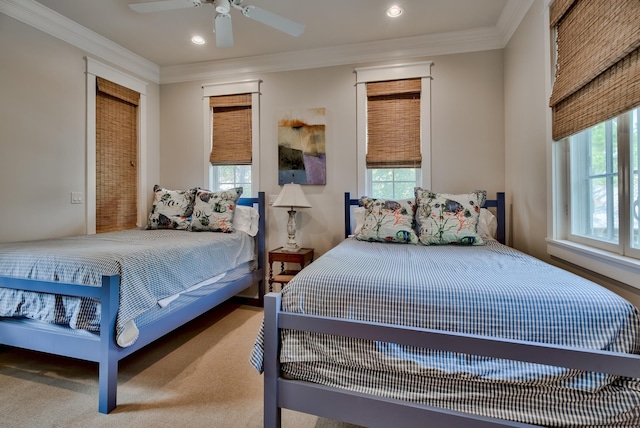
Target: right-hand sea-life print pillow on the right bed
(444, 218)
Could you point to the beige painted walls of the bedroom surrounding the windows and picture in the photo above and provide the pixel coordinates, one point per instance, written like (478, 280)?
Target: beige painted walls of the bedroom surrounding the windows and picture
(489, 130)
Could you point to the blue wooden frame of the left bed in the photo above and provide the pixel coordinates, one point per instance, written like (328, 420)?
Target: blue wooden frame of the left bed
(102, 348)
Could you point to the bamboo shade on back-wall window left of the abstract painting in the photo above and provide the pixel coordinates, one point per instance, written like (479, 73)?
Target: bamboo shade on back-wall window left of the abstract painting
(232, 130)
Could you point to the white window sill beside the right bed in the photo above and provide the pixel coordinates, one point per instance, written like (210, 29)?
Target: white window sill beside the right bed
(611, 265)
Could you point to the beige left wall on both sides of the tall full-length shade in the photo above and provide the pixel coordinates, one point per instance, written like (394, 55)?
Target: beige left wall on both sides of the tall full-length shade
(43, 133)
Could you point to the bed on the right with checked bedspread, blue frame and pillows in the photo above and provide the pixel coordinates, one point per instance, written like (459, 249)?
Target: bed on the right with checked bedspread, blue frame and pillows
(389, 334)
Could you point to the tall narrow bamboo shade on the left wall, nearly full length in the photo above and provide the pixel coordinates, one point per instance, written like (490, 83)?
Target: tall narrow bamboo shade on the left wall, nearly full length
(116, 157)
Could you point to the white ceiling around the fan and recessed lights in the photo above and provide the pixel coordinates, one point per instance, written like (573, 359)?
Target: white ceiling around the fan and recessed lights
(164, 37)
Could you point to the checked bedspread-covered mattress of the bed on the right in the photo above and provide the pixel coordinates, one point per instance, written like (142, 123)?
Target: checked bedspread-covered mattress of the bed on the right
(490, 290)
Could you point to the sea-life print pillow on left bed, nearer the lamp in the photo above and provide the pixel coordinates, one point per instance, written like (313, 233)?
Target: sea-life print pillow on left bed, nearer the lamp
(213, 211)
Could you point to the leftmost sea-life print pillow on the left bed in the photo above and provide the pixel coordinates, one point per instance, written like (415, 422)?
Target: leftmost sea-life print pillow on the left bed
(171, 209)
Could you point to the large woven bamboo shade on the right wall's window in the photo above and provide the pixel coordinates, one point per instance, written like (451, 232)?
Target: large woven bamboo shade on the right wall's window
(598, 62)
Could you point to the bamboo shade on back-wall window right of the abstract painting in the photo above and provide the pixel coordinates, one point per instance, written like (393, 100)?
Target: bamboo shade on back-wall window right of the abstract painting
(393, 124)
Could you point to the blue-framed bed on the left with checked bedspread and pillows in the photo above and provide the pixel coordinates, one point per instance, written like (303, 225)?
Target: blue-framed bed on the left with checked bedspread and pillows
(102, 297)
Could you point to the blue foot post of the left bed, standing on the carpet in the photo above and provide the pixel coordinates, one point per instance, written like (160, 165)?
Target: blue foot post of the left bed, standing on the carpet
(108, 364)
